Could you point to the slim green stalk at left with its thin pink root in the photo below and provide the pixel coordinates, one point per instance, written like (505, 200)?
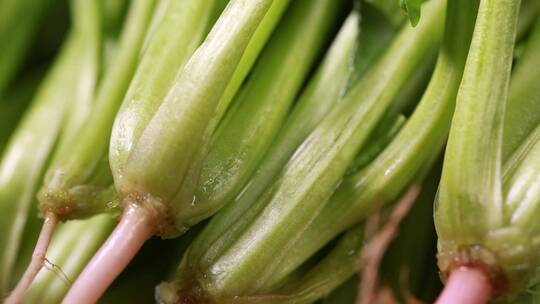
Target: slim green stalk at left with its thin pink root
(65, 177)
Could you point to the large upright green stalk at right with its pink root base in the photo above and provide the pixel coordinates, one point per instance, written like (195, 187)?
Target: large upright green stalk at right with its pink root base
(480, 214)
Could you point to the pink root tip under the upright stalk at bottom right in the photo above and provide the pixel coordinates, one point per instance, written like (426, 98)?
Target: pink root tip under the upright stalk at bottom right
(466, 285)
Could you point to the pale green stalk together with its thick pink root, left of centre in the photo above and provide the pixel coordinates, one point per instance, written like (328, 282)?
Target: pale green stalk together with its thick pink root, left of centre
(149, 168)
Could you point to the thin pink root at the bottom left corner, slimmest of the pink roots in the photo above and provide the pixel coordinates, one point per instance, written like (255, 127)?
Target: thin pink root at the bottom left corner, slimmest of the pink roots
(38, 259)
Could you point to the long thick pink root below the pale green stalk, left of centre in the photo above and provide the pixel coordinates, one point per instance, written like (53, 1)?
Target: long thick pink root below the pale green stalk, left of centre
(134, 229)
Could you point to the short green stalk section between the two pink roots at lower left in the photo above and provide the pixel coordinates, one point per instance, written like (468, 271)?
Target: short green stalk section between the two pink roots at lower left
(71, 248)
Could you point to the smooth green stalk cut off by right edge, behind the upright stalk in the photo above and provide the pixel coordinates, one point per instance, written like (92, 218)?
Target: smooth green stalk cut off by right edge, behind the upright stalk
(523, 96)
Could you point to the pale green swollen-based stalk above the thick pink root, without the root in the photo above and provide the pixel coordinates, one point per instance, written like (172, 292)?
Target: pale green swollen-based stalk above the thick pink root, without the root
(179, 129)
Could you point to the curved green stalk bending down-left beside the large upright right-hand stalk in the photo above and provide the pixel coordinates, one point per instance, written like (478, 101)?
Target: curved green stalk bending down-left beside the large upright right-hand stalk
(413, 150)
